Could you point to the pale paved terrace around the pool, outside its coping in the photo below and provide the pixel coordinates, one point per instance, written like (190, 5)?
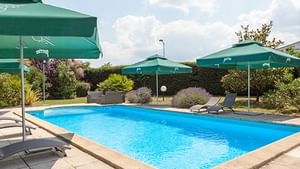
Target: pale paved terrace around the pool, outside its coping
(78, 159)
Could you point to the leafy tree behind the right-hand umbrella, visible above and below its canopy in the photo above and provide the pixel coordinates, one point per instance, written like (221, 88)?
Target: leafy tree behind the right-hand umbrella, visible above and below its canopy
(261, 79)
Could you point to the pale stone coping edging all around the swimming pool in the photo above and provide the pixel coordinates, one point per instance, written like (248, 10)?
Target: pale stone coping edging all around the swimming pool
(251, 160)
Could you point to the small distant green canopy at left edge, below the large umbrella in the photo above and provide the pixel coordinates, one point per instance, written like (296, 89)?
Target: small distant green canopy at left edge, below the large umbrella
(11, 66)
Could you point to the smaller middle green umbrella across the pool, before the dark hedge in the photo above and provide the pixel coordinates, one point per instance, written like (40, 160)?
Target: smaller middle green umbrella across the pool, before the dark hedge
(157, 65)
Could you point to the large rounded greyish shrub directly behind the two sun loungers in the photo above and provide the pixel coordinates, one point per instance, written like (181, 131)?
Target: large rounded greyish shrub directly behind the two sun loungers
(186, 98)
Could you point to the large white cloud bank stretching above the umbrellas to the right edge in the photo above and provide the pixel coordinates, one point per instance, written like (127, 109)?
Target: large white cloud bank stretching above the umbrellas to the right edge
(137, 36)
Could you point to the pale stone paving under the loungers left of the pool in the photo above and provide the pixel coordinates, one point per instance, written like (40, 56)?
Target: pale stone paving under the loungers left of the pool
(76, 159)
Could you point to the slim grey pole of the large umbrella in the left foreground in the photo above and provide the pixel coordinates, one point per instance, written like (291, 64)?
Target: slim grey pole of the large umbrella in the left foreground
(22, 88)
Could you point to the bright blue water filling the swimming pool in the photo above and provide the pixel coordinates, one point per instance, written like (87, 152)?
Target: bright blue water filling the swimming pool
(166, 140)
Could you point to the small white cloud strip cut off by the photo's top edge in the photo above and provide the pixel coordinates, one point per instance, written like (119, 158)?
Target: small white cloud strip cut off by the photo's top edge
(185, 5)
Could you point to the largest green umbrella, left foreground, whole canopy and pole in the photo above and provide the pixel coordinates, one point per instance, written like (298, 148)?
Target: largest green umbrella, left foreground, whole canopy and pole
(28, 18)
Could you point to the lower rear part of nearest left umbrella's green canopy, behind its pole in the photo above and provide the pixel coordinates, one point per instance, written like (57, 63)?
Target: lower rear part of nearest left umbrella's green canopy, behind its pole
(57, 47)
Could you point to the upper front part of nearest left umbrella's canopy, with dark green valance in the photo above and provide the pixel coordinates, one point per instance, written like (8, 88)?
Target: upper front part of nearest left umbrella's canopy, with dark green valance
(32, 17)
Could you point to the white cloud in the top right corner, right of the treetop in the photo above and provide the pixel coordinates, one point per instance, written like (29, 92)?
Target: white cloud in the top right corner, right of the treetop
(285, 15)
